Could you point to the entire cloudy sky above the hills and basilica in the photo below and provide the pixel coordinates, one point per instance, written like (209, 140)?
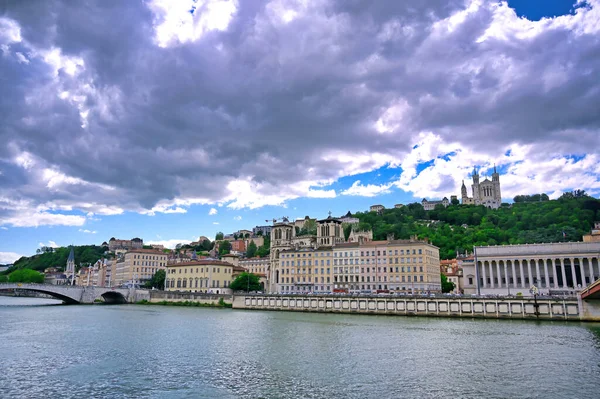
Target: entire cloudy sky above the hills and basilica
(168, 120)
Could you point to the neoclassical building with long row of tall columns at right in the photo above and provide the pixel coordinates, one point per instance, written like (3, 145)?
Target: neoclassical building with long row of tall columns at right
(553, 268)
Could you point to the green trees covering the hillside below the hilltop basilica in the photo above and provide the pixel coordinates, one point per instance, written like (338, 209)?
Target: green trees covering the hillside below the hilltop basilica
(460, 227)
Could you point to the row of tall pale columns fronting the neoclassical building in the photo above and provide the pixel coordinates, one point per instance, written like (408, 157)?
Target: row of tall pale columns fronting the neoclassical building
(547, 272)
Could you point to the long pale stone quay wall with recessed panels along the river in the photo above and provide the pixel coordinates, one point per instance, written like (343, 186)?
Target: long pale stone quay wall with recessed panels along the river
(494, 308)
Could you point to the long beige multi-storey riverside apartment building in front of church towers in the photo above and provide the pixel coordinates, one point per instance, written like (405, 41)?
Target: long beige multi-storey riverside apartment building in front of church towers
(410, 266)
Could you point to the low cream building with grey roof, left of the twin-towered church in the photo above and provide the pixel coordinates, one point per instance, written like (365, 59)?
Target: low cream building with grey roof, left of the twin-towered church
(207, 275)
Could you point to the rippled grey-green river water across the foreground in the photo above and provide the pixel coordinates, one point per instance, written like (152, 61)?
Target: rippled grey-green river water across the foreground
(135, 351)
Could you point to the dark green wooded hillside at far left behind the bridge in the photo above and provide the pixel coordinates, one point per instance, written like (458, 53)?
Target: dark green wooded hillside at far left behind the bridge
(58, 258)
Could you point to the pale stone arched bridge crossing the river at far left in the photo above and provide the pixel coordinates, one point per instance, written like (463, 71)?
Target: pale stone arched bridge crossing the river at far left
(72, 294)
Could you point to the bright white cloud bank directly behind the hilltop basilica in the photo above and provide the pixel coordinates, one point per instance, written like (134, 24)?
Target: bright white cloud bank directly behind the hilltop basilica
(528, 171)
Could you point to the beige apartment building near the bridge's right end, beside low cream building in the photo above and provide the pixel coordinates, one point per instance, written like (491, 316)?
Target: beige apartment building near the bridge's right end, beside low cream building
(138, 266)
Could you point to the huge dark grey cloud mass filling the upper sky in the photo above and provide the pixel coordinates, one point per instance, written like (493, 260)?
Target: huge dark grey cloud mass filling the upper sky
(274, 101)
